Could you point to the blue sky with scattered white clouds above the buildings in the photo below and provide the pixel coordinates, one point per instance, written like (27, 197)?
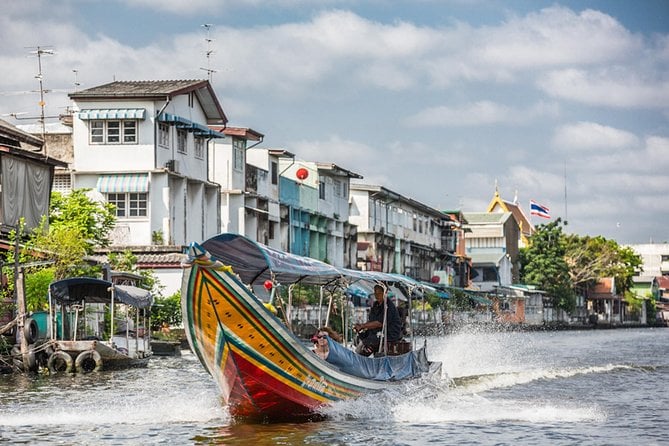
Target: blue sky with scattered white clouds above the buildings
(565, 103)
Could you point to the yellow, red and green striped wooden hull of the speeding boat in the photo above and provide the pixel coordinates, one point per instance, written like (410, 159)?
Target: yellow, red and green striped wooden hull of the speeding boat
(262, 370)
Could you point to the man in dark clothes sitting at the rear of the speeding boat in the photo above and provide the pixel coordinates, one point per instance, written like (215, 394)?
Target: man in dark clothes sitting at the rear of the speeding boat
(369, 333)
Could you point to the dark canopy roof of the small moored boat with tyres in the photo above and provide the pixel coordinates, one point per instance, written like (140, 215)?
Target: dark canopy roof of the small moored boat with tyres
(91, 290)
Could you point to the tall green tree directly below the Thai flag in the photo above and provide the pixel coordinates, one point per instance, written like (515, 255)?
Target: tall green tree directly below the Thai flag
(543, 265)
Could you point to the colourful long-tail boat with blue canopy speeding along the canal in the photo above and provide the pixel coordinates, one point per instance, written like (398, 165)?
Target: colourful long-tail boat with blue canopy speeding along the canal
(264, 371)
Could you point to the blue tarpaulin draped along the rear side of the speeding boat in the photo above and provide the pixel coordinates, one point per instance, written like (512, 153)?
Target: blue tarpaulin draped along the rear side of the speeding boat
(386, 368)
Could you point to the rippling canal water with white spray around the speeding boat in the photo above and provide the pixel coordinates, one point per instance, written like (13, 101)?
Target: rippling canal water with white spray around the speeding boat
(561, 388)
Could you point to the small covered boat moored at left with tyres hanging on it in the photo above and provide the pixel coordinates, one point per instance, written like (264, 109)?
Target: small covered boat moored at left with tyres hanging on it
(96, 325)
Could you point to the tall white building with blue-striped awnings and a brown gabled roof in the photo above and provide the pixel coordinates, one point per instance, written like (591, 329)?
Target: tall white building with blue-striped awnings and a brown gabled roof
(142, 145)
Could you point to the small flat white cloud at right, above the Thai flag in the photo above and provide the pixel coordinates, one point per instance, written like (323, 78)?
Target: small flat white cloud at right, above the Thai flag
(590, 135)
